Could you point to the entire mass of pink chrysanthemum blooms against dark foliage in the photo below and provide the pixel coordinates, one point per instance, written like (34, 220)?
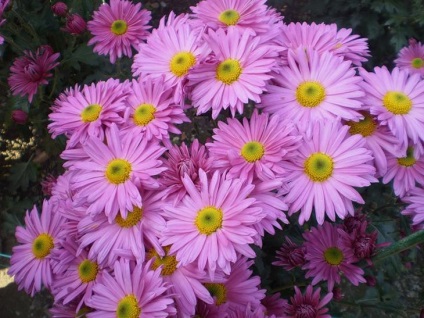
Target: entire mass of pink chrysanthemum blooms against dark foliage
(140, 227)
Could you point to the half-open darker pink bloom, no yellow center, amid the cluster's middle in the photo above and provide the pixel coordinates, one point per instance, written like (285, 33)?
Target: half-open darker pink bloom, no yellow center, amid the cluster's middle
(181, 161)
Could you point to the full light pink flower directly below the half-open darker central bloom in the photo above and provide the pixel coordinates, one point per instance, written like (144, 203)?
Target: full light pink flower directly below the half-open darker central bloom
(212, 224)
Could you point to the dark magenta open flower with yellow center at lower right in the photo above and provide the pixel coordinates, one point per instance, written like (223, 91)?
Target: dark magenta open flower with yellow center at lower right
(327, 257)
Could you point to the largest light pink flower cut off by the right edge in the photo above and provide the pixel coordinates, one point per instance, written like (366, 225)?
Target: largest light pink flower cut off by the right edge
(397, 99)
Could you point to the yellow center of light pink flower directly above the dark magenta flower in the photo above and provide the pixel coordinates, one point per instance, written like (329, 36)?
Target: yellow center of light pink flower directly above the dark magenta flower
(319, 167)
